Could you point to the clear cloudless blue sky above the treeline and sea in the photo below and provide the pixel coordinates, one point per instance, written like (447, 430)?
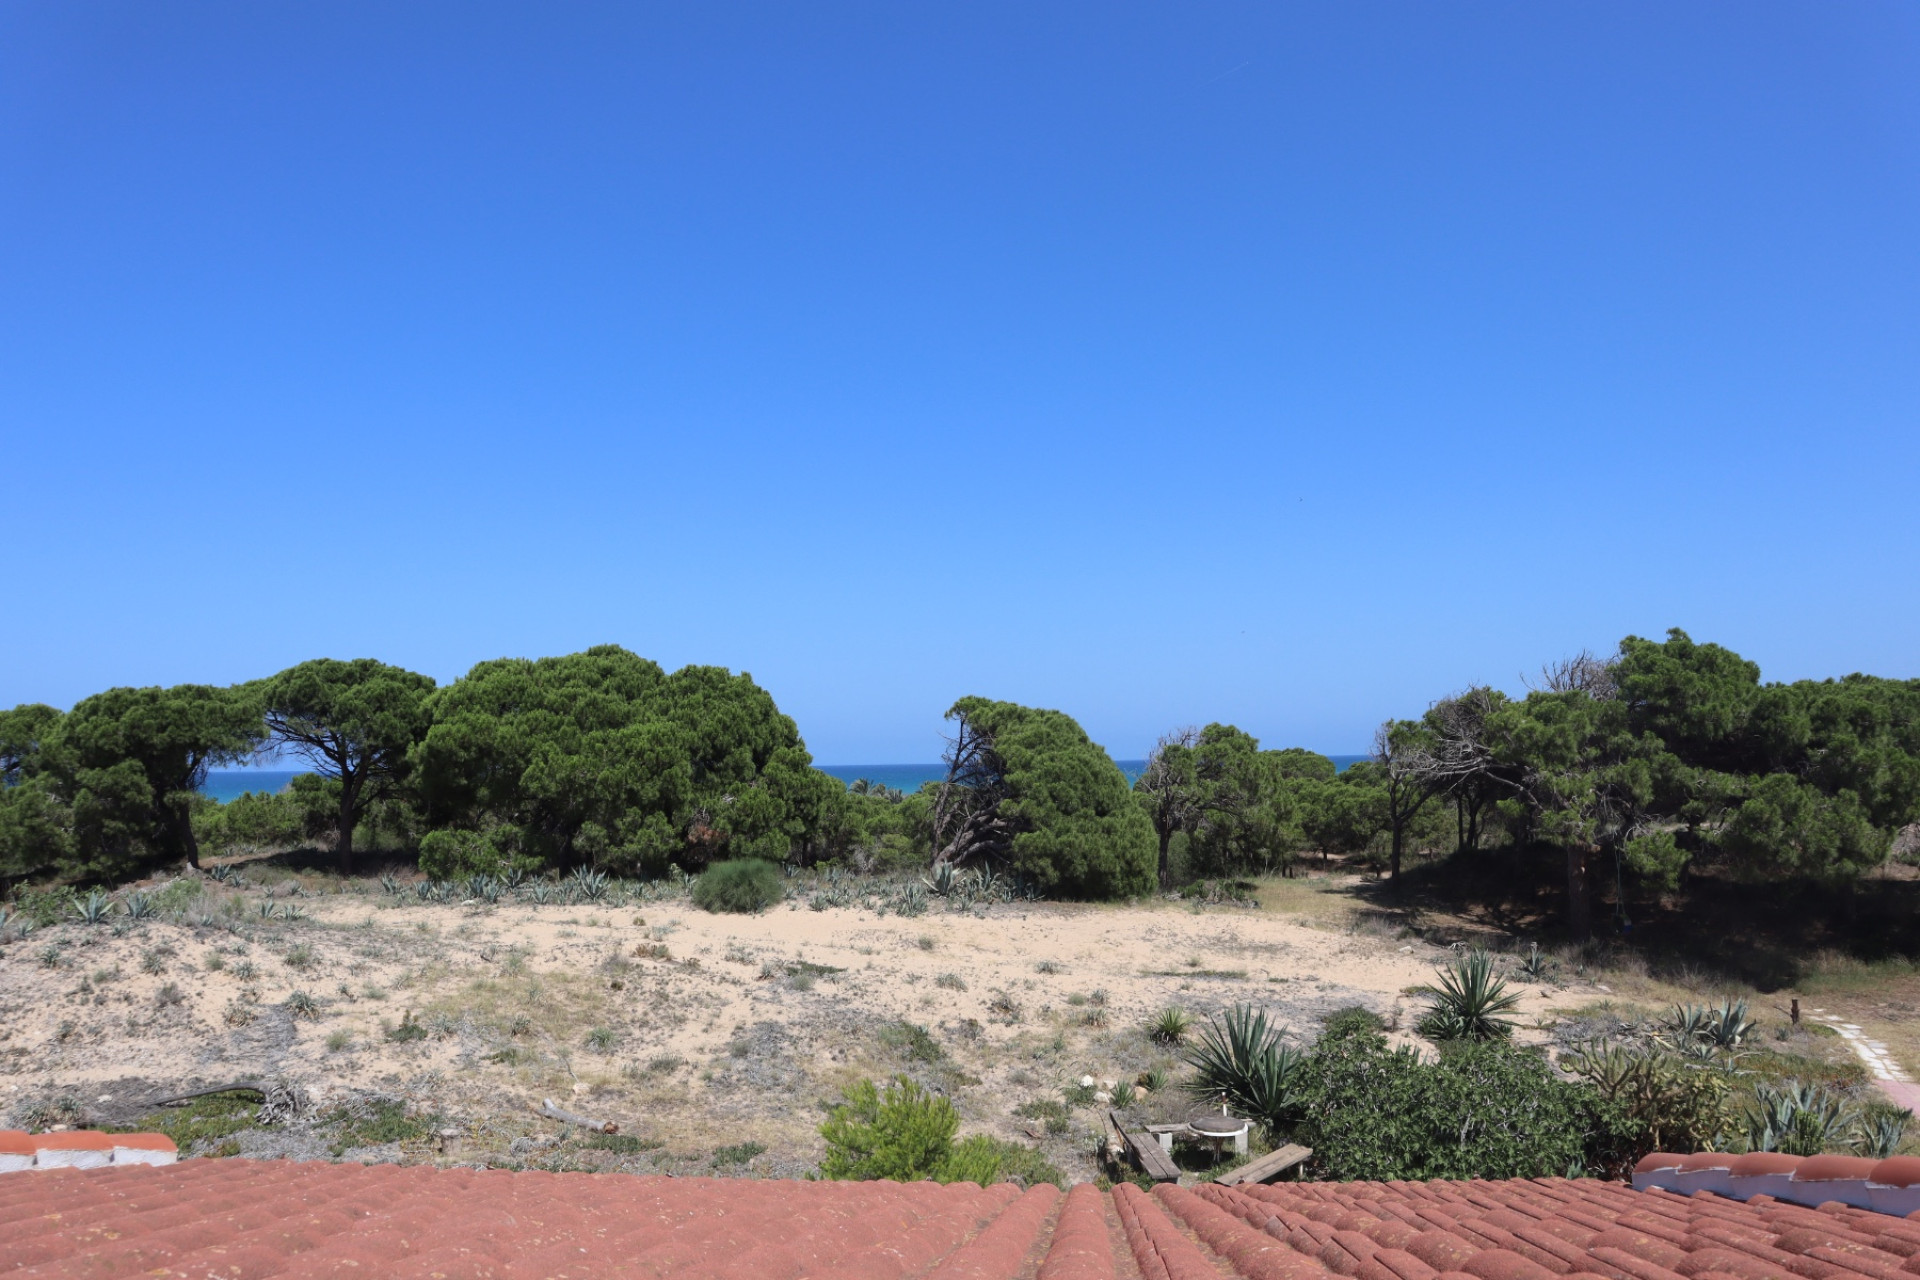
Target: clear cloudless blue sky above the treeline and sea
(1276, 364)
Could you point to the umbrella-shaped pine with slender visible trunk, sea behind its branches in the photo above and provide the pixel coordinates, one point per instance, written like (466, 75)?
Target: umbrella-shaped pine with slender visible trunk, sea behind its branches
(354, 723)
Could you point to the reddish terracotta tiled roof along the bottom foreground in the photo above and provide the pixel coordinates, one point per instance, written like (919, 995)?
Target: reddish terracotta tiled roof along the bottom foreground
(235, 1220)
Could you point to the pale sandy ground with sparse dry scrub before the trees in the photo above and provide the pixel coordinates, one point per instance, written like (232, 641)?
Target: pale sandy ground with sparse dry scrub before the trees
(690, 1031)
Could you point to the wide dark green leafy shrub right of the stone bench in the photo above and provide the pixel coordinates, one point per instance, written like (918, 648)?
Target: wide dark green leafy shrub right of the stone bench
(1481, 1112)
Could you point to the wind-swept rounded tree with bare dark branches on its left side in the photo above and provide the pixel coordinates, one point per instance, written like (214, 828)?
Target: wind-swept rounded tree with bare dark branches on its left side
(1030, 792)
